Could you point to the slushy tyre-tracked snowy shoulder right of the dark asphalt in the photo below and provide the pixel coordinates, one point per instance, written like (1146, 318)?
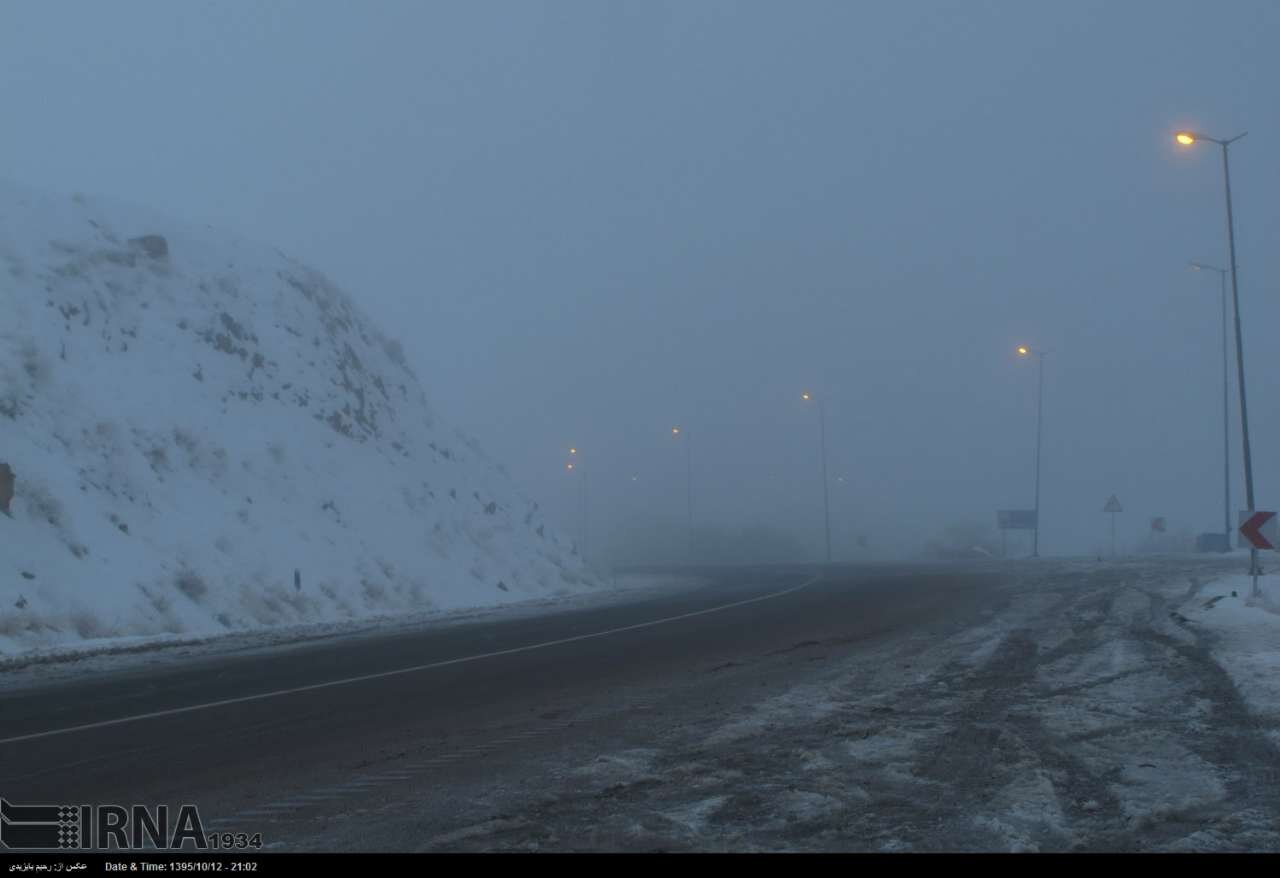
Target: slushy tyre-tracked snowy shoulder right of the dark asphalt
(1078, 708)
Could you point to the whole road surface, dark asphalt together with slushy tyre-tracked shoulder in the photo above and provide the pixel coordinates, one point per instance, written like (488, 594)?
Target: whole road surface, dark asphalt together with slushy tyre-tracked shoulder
(912, 699)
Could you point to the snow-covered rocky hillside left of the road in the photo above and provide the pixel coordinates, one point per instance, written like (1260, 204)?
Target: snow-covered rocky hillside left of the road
(208, 436)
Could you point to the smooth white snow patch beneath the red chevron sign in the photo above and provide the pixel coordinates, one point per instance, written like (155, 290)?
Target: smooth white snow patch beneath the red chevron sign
(1246, 638)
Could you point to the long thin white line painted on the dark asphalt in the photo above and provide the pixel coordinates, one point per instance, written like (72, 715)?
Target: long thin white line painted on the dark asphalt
(382, 675)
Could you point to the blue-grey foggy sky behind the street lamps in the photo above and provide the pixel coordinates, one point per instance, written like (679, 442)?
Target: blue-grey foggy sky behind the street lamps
(592, 221)
